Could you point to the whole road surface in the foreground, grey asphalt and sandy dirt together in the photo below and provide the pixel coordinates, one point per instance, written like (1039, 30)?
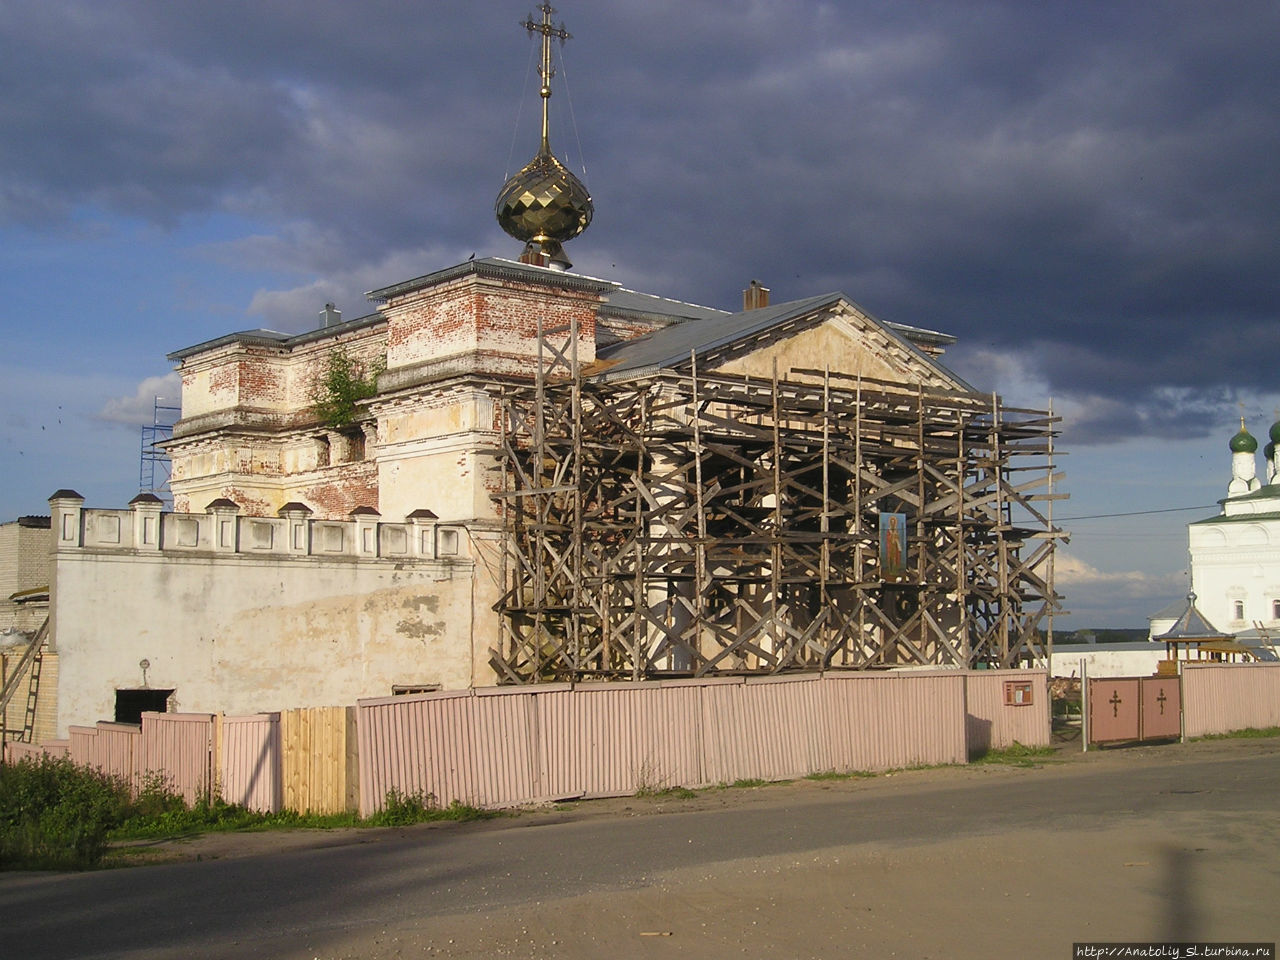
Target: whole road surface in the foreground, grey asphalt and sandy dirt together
(1178, 843)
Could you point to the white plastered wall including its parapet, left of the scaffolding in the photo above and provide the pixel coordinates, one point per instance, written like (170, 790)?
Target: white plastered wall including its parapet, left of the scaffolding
(244, 615)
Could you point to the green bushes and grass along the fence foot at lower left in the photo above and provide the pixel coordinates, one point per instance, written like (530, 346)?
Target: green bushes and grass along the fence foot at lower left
(58, 816)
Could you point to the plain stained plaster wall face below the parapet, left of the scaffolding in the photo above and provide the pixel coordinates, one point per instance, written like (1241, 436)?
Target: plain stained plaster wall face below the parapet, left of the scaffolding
(249, 634)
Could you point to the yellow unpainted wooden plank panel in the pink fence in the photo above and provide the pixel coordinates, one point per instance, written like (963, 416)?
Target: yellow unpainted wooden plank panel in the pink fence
(319, 760)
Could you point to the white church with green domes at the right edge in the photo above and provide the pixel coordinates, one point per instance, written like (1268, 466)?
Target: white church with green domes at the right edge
(1236, 556)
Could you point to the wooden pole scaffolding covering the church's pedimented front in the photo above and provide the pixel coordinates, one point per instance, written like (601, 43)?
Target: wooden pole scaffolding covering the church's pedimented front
(680, 524)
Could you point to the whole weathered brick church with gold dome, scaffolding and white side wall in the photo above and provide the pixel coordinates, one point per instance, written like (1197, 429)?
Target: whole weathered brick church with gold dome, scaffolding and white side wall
(511, 473)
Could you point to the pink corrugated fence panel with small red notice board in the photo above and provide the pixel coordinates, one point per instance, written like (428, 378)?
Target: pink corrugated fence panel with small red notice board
(993, 724)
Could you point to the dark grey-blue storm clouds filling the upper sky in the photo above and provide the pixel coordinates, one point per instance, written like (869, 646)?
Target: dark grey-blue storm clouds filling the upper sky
(1091, 185)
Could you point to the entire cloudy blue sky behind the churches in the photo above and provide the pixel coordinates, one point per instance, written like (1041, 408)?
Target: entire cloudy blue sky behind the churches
(1084, 193)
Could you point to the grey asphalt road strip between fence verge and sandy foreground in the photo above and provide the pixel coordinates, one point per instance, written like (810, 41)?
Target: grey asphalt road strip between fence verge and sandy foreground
(353, 889)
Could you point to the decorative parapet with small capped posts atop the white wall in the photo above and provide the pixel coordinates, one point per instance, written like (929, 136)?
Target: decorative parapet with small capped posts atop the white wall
(145, 528)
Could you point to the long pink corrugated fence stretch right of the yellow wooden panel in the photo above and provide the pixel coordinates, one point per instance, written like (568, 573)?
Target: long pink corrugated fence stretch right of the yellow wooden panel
(508, 747)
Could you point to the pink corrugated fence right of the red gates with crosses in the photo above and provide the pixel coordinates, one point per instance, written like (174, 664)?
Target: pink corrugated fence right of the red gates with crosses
(1220, 698)
